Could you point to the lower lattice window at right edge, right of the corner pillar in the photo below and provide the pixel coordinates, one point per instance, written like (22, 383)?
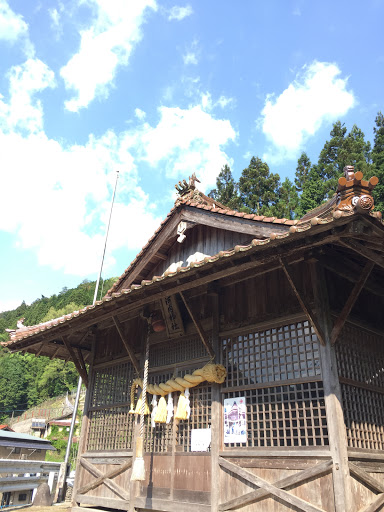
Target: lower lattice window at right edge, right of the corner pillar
(364, 417)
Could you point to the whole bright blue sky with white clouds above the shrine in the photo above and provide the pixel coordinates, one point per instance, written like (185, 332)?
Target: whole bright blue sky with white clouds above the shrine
(157, 90)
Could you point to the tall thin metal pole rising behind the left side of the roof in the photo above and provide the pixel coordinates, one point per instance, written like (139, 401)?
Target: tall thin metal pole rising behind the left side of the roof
(61, 482)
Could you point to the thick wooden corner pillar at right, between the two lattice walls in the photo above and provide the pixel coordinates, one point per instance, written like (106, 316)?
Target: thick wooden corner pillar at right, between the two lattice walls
(332, 392)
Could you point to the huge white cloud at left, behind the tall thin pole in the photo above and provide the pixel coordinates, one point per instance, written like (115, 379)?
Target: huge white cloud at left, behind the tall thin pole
(57, 196)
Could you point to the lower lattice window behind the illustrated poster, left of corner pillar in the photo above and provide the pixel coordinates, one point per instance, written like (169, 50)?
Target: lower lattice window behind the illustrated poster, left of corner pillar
(292, 415)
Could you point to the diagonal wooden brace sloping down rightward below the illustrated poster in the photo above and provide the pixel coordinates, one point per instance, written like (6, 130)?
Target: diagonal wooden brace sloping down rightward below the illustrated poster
(285, 496)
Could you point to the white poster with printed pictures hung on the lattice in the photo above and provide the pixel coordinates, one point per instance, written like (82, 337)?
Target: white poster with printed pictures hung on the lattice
(235, 420)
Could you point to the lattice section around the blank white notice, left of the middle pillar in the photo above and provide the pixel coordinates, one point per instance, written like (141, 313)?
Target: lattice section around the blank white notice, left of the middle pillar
(200, 400)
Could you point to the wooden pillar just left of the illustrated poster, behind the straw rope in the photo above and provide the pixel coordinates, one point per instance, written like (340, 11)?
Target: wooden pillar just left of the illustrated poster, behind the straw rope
(216, 410)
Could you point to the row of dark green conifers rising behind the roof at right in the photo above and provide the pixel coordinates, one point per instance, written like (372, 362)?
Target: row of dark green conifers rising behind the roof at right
(260, 191)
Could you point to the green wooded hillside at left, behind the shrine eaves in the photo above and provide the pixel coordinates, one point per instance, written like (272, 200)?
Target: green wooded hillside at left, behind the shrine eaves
(26, 380)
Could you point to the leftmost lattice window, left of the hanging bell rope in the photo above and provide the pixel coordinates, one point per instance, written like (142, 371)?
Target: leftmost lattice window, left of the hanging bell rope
(110, 425)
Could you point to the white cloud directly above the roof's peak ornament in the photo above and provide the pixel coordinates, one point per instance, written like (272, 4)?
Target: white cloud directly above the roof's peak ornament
(188, 140)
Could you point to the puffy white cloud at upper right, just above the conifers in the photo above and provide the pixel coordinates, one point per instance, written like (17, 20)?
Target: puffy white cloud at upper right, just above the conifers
(316, 96)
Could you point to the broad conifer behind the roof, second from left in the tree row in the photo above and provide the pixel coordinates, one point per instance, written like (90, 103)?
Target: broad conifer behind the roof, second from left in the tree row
(258, 188)
